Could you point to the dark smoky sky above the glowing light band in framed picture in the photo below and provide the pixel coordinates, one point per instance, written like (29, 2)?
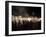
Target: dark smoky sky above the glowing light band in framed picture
(26, 11)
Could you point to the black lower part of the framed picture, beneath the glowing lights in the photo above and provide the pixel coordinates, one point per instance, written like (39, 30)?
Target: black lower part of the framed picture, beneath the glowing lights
(27, 26)
